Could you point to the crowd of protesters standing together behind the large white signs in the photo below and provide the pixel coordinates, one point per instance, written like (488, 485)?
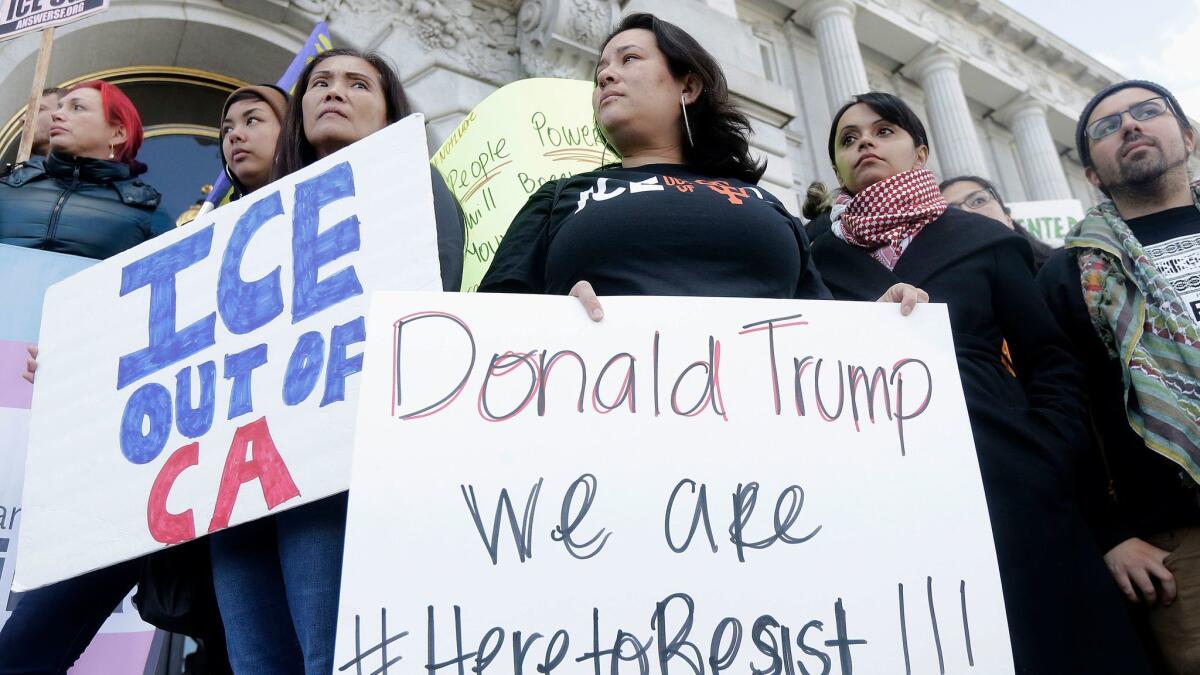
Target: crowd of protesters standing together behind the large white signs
(1081, 366)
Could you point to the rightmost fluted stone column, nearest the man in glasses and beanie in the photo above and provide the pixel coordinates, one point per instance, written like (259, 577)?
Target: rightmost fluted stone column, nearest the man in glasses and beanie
(1036, 151)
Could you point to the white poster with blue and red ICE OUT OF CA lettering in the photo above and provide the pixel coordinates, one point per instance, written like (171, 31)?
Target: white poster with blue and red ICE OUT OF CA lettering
(209, 377)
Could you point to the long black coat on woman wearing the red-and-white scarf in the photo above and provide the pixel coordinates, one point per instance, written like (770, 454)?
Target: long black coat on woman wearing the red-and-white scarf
(1065, 612)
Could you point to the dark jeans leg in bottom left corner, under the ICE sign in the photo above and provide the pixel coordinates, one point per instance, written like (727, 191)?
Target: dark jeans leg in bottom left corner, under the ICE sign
(53, 626)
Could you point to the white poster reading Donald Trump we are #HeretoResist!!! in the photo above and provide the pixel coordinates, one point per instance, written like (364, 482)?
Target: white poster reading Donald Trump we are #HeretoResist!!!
(693, 485)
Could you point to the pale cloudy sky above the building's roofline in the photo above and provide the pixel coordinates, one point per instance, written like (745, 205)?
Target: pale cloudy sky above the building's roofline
(1156, 40)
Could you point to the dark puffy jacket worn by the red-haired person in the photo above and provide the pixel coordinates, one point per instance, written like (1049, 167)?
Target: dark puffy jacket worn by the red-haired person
(79, 206)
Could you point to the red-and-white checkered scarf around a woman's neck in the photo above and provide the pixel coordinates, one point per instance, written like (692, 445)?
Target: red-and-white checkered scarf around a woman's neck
(884, 218)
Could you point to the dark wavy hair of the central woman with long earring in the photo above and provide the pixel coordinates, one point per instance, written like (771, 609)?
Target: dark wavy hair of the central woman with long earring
(719, 130)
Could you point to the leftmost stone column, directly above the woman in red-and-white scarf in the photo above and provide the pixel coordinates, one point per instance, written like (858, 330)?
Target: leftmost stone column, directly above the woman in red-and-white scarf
(842, 62)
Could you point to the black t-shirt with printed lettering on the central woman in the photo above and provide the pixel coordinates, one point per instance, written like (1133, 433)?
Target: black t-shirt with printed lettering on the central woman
(656, 230)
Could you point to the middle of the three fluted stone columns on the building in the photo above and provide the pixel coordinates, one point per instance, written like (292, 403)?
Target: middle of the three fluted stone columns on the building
(955, 138)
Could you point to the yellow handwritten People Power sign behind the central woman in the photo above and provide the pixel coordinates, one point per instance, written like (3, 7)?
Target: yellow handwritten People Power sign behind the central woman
(523, 136)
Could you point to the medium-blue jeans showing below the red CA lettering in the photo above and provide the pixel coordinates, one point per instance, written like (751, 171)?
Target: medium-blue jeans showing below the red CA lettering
(278, 583)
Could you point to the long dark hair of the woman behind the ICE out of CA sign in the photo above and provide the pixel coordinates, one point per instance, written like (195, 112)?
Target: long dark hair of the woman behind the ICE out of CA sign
(293, 151)
